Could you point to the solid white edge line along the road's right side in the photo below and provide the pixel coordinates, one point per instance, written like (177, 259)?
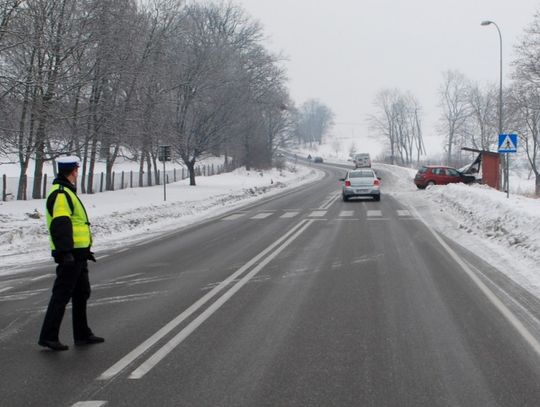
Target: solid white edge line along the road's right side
(503, 309)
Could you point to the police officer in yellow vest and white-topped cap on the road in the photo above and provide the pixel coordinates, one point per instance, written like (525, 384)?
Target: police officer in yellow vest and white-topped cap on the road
(70, 239)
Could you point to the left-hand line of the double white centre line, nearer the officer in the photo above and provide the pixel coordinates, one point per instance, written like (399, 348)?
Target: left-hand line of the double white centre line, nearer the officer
(165, 330)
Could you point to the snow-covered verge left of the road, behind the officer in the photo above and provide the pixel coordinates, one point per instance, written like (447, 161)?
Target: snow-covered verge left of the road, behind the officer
(123, 217)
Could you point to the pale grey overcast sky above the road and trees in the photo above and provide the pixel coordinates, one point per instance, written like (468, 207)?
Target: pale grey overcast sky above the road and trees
(343, 52)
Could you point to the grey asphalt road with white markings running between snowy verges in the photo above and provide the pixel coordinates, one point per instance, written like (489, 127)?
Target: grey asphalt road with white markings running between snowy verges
(299, 300)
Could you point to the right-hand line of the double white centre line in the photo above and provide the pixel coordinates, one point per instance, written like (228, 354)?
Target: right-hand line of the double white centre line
(191, 327)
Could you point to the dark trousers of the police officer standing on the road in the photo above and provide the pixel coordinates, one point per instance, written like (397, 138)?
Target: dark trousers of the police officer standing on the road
(71, 283)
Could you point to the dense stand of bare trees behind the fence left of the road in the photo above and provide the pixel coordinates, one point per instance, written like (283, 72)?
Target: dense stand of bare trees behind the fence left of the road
(110, 78)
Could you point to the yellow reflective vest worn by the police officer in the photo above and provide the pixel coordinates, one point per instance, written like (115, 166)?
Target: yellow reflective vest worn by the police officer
(67, 203)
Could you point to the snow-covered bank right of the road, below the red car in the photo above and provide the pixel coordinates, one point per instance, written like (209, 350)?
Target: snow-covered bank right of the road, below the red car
(505, 232)
